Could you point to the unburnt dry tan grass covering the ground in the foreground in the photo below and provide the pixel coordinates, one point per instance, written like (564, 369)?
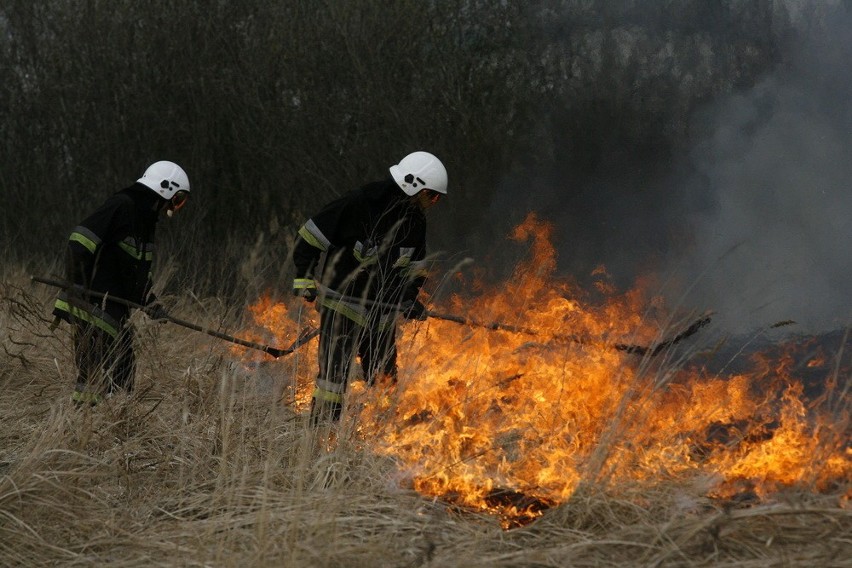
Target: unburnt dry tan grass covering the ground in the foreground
(203, 466)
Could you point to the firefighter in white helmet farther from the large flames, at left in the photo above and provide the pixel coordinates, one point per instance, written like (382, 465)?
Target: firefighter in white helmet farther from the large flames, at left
(111, 252)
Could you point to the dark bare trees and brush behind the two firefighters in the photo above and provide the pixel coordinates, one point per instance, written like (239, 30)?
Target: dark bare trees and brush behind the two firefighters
(275, 107)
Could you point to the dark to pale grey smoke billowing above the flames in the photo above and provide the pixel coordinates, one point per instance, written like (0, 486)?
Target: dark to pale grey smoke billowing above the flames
(751, 218)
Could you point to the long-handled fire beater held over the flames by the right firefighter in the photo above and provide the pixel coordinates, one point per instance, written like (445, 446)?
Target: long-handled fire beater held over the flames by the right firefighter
(635, 349)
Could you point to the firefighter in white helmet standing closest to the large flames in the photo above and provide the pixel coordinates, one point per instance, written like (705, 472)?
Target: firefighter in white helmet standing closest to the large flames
(362, 258)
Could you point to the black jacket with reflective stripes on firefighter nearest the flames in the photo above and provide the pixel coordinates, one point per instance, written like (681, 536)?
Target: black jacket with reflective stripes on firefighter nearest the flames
(374, 243)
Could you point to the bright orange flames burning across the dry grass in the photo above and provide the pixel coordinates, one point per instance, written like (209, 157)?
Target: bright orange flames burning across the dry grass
(512, 423)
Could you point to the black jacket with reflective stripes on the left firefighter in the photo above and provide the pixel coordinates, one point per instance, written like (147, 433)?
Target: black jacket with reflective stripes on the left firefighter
(111, 251)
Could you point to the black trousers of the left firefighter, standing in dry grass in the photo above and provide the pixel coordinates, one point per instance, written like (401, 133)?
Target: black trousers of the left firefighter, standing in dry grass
(105, 363)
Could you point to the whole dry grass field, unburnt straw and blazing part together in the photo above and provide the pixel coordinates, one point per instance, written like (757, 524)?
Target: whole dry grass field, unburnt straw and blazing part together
(595, 456)
